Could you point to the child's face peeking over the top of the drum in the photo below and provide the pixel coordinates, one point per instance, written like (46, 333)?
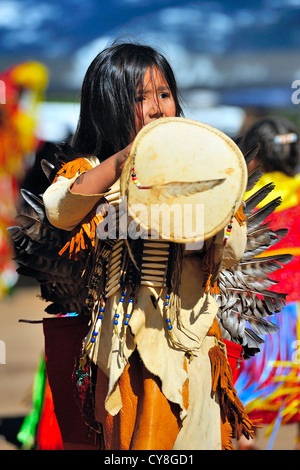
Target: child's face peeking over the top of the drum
(155, 100)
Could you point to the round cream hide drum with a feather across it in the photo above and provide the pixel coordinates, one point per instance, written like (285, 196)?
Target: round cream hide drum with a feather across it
(183, 180)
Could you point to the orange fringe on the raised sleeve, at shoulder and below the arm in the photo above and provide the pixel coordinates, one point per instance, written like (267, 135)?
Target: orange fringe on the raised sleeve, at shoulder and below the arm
(83, 237)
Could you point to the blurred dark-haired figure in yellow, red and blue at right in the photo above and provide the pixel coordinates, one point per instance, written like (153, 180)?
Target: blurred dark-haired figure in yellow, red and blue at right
(268, 383)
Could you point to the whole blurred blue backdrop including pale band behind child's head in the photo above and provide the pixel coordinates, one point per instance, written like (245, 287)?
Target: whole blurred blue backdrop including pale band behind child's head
(213, 44)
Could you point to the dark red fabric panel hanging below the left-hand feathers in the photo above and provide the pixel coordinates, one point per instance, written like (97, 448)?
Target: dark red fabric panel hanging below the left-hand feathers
(63, 341)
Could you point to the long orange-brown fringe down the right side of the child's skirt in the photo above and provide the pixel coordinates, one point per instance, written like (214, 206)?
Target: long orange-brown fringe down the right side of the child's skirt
(234, 419)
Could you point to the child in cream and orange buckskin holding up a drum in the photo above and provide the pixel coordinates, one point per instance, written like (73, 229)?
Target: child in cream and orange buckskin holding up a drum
(149, 394)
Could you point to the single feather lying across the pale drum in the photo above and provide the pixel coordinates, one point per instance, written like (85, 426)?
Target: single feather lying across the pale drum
(181, 188)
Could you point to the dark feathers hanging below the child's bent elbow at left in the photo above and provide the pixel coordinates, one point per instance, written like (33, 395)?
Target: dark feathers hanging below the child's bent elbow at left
(37, 244)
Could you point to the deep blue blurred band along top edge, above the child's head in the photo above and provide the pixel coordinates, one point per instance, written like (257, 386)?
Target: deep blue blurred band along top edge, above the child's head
(58, 27)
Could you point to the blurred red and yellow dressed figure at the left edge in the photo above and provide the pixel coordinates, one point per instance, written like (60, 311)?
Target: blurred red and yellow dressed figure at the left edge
(24, 87)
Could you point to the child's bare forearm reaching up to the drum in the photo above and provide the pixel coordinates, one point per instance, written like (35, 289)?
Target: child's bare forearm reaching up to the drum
(102, 177)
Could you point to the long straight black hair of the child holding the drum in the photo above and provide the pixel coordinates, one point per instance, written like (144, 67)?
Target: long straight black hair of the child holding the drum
(108, 97)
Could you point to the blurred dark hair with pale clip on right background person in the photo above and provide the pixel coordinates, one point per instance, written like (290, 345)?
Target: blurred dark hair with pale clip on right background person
(279, 141)
